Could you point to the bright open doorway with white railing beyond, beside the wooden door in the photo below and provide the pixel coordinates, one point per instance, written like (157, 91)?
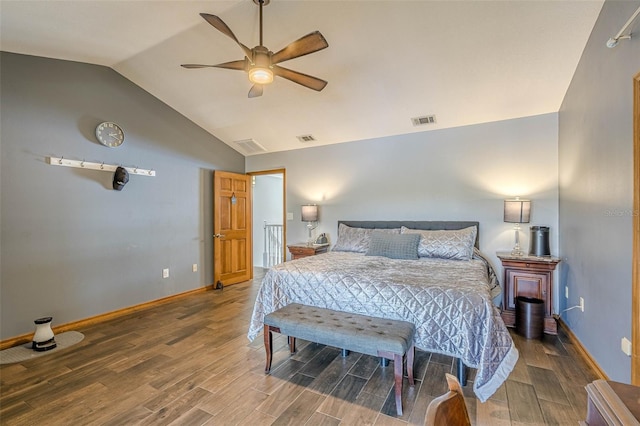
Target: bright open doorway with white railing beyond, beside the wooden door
(269, 219)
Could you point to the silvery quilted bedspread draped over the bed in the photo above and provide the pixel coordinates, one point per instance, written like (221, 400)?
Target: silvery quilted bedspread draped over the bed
(449, 302)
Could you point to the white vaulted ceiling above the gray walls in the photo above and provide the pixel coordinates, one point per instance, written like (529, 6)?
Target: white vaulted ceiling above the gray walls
(467, 62)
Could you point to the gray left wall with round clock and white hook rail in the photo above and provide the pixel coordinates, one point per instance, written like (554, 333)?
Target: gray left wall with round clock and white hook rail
(71, 246)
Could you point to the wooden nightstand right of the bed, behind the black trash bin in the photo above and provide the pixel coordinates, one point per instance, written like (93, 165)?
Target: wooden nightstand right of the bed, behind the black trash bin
(529, 276)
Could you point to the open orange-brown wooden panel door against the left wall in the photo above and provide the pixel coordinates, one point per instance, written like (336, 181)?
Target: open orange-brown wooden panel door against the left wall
(233, 261)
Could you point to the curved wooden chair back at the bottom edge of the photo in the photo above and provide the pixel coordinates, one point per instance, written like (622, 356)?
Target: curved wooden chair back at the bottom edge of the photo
(448, 409)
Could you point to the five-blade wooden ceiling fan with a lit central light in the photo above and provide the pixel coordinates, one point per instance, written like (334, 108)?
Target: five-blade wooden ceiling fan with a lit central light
(261, 64)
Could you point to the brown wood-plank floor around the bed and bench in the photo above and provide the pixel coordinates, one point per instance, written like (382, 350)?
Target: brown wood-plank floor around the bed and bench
(188, 362)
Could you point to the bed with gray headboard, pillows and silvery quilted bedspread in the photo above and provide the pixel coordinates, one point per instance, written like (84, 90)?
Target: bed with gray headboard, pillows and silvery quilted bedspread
(429, 273)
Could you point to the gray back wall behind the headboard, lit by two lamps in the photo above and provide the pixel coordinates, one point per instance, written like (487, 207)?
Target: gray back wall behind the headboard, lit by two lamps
(462, 173)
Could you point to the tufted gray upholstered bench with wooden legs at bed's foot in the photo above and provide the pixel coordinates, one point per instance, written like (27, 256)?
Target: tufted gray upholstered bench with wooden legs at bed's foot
(390, 339)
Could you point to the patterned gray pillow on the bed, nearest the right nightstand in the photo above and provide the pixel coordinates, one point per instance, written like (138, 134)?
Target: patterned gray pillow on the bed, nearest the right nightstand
(446, 244)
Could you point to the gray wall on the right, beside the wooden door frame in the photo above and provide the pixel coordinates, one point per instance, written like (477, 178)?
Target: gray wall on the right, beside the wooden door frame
(596, 190)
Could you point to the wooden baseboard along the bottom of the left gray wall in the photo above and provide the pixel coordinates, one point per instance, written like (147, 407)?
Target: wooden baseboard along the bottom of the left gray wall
(26, 338)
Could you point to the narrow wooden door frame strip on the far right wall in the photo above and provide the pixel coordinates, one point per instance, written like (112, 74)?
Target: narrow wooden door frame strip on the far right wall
(635, 269)
